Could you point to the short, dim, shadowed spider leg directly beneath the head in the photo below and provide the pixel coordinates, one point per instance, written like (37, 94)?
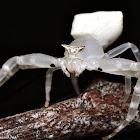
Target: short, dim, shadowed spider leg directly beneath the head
(74, 81)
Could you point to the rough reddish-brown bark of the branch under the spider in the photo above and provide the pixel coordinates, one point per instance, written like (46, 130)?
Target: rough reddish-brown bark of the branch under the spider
(96, 111)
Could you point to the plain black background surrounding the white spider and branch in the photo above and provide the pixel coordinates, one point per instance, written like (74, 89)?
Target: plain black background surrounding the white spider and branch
(42, 28)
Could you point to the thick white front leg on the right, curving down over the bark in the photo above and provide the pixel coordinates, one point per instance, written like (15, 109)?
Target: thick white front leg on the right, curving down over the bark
(129, 69)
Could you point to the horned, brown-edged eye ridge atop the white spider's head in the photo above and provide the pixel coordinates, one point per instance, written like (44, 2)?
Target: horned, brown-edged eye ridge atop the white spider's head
(72, 51)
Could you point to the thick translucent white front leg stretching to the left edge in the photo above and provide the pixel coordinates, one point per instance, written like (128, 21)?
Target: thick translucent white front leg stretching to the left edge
(12, 65)
